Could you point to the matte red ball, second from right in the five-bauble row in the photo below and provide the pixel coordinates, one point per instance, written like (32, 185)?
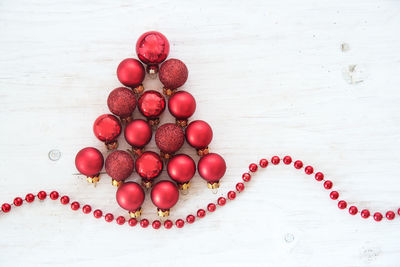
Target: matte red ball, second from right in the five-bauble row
(181, 168)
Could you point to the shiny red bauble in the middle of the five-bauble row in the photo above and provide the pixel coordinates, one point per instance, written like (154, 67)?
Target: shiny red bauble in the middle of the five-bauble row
(149, 166)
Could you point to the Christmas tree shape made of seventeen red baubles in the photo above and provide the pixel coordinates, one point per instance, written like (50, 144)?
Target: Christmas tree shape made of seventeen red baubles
(152, 49)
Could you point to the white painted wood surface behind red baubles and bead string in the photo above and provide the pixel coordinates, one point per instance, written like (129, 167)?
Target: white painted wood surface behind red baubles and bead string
(270, 77)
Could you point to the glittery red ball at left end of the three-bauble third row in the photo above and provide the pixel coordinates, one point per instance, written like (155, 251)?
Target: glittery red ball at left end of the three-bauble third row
(121, 102)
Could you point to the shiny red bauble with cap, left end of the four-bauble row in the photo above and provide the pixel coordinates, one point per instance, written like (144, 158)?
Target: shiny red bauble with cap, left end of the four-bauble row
(107, 128)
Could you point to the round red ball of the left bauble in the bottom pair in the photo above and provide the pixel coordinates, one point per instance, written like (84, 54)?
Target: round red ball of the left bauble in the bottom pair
(130, 196)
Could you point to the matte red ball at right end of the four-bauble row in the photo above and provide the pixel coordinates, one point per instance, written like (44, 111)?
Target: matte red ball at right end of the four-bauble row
(199, 134)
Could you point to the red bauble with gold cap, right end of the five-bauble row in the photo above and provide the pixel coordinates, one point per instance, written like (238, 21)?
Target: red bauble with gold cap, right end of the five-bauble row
(212, 168)
